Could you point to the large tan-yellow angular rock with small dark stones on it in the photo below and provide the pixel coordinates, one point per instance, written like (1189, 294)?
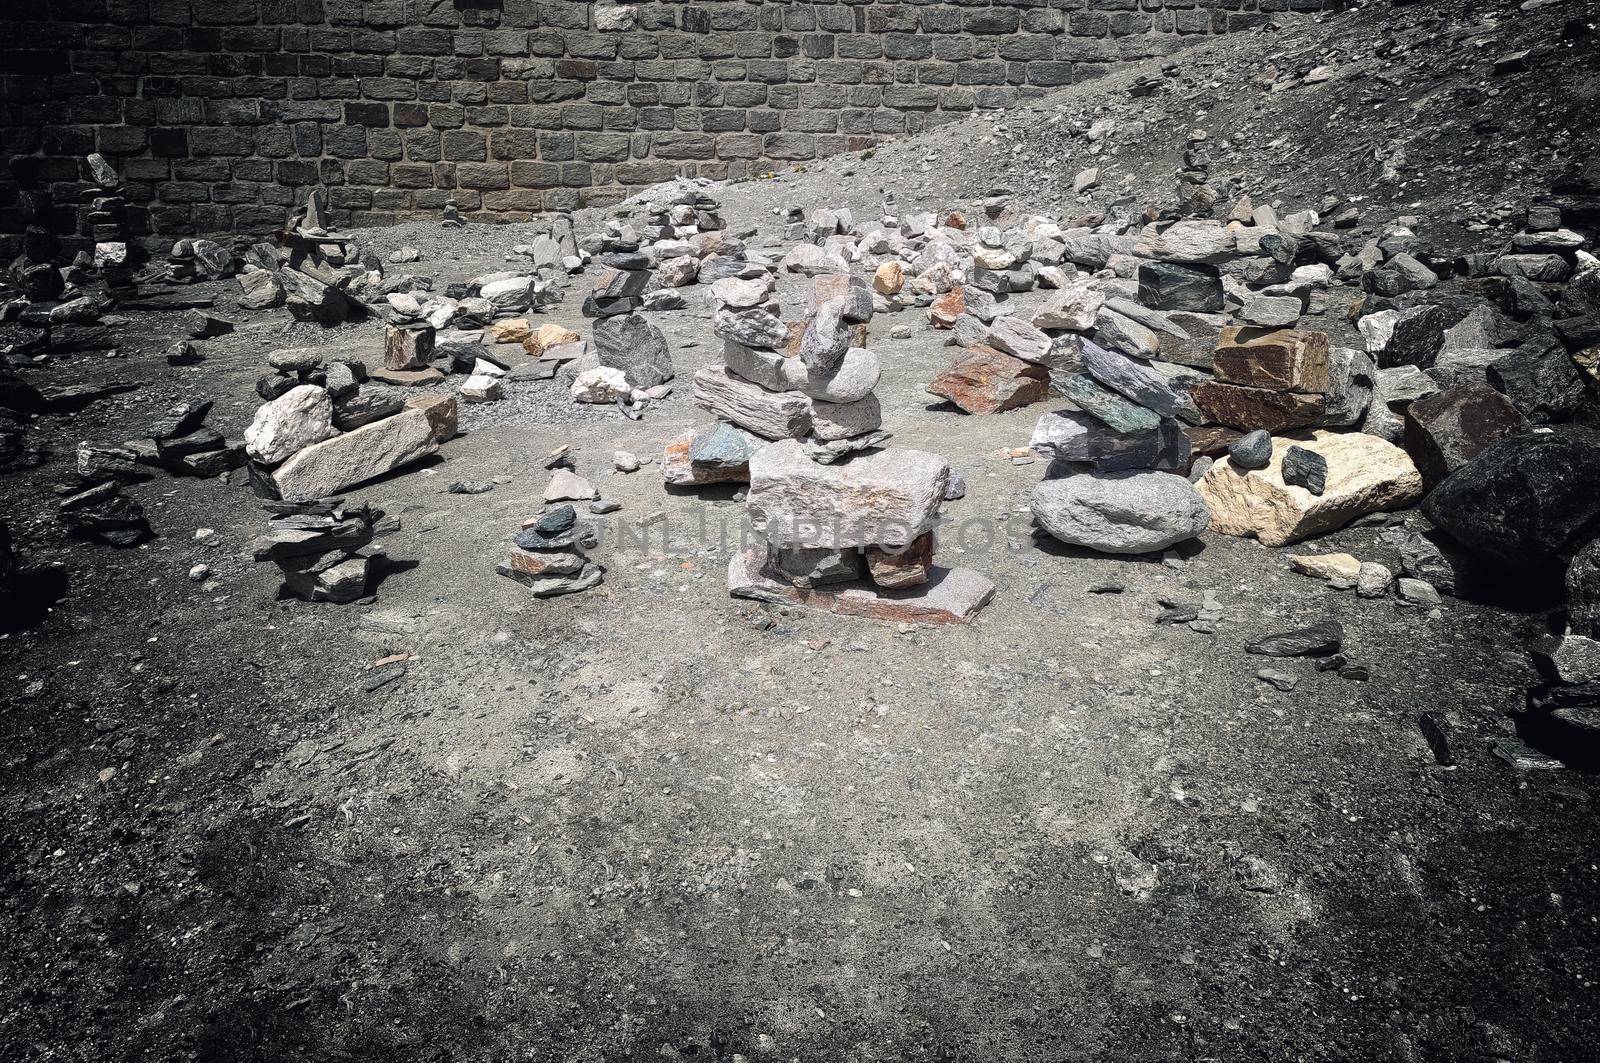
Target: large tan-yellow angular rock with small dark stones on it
(1366, 475)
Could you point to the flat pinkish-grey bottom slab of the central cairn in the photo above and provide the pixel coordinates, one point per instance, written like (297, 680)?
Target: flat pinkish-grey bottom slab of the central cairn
(951, 596)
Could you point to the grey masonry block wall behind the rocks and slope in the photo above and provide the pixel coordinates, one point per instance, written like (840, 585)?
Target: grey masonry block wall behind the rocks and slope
(222, 113)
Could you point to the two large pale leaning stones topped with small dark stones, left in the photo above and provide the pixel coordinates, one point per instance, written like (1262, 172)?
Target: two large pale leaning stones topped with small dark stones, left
(324, 430)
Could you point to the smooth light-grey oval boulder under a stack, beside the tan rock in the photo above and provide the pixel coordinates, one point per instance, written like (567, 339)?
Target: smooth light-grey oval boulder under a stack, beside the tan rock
(1121, 513)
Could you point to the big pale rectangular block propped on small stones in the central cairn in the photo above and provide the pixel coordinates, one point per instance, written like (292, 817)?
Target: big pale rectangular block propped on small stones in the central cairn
(879, 499)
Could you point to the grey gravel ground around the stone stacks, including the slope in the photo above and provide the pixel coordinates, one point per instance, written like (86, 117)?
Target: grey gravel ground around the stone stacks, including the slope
(654, 822)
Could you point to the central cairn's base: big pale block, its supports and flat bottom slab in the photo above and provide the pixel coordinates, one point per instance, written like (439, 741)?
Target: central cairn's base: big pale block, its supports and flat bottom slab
(854, 537)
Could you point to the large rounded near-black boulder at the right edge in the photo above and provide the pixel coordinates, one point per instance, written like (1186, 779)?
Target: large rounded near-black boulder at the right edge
(1526, 502)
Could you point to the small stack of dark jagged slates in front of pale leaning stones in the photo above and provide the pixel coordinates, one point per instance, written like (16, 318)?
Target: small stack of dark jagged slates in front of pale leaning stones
(321, 547)
